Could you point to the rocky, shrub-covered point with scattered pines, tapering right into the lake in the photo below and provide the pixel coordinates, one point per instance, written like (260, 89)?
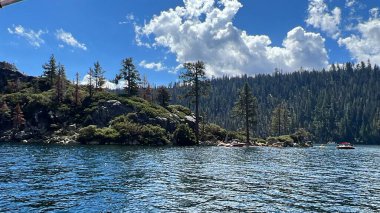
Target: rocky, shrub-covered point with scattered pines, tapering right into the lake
(52, 110)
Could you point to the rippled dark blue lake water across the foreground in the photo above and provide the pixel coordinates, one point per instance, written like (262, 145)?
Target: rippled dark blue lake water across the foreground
(198, 179)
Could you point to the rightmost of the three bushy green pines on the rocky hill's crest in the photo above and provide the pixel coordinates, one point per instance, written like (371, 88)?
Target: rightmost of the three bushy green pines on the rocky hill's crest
(129, 73)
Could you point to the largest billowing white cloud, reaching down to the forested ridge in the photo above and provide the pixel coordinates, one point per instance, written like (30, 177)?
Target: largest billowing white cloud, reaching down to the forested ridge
(204, 30)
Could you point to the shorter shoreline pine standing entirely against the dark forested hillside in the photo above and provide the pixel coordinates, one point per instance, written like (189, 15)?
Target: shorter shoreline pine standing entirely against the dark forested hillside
(246, 109)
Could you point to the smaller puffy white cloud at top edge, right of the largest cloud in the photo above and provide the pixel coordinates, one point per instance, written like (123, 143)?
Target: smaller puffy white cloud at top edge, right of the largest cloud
(320, 17)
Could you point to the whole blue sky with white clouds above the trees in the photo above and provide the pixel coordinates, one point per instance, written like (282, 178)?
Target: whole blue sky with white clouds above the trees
(233, 37)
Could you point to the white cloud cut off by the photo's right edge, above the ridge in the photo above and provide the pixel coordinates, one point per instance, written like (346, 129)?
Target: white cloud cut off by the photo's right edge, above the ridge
(366, 45)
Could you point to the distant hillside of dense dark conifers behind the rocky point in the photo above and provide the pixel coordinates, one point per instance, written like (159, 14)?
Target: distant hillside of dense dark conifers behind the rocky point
(342, 103)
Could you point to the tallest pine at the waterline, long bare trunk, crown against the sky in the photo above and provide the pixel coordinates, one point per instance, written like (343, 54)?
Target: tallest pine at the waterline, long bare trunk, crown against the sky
(195, 78)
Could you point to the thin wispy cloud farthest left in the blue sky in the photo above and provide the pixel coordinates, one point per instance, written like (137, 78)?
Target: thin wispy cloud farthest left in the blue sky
(33, 37)
